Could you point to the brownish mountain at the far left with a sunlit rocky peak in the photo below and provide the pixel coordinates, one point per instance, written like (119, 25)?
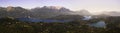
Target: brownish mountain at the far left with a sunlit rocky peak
(14, 12)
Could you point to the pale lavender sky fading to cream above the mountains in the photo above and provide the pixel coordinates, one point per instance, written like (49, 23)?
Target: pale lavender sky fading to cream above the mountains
(76, 5)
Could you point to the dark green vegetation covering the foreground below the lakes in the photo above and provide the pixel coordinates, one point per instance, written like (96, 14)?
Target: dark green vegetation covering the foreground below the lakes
(10, 25)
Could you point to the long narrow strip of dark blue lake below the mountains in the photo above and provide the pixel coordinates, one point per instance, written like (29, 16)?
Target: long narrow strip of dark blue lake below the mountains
(40, 20)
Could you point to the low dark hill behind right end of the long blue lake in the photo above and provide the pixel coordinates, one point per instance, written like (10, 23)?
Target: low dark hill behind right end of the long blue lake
(67, 17)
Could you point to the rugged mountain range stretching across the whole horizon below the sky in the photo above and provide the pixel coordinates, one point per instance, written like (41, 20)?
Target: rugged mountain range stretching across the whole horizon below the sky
(46, 12)
